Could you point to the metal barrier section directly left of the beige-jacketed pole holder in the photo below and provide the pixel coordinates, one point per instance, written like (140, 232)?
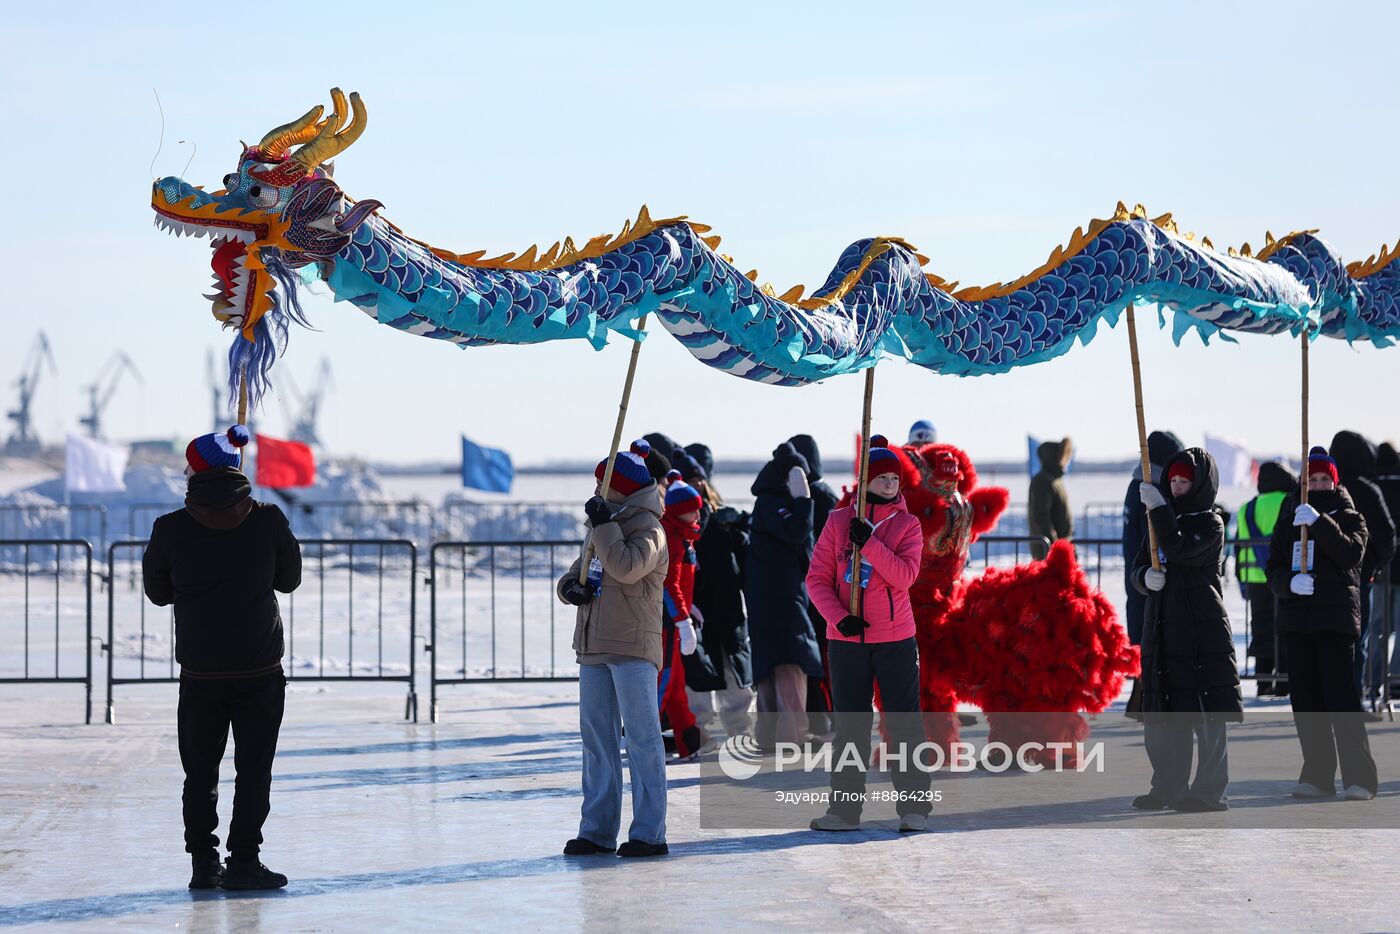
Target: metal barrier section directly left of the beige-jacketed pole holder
(498, 592)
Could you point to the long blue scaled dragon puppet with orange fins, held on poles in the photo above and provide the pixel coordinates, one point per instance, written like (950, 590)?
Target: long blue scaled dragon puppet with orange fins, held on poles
(281, 221)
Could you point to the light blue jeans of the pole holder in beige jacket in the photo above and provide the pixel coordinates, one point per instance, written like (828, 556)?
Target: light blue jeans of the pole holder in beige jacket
(611, 698)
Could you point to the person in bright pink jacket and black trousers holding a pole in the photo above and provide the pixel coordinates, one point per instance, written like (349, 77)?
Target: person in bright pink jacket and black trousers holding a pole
(874, 648)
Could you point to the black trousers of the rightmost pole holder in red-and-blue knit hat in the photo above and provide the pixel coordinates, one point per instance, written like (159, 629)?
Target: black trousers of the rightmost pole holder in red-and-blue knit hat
(1326, 711)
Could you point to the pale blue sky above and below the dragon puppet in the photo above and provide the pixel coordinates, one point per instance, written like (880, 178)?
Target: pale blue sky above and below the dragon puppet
(983, 137)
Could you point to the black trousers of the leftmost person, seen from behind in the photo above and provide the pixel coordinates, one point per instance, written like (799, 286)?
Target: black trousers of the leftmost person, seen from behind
(208, 709)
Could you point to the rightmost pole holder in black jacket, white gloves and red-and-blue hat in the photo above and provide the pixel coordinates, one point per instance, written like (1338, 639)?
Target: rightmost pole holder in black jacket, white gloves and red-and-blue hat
(1319, 615)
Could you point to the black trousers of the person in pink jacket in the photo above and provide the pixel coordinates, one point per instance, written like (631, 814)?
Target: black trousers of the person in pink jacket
(856, 669)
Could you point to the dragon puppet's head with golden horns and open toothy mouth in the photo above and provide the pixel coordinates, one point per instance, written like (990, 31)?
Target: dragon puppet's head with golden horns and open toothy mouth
(278, 211)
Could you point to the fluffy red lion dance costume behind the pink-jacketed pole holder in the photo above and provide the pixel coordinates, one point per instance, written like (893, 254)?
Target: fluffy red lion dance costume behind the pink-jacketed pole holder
(1034, 646)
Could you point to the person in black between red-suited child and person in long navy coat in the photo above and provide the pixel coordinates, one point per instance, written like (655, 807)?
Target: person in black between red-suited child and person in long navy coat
(720, 673)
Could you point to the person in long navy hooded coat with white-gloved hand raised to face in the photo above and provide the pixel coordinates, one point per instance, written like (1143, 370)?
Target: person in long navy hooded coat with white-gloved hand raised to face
(775, 589)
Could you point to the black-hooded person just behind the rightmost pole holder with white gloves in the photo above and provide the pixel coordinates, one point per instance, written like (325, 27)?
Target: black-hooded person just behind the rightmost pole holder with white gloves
(1356, 459)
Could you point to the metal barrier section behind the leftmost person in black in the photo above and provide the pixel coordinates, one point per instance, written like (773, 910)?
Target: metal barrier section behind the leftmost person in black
(338, 576)
